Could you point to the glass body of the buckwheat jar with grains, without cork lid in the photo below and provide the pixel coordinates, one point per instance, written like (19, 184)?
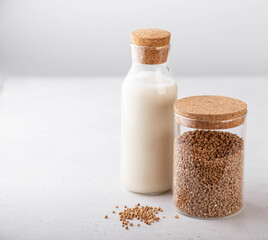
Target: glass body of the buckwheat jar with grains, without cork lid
(208, 169)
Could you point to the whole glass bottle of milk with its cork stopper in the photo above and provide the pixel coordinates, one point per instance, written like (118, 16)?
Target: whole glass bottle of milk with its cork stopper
(148, 93)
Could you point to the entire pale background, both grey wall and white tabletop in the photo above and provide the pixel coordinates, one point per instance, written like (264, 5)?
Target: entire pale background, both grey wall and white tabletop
(60, 135)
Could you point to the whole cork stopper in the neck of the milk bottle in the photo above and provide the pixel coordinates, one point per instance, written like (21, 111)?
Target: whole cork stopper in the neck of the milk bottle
(151, 45)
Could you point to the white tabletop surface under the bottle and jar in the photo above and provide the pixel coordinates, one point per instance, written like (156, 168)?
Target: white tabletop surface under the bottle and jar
(60, 162)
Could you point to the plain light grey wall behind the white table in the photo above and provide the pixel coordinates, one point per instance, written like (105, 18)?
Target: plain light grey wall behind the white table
(83, 37)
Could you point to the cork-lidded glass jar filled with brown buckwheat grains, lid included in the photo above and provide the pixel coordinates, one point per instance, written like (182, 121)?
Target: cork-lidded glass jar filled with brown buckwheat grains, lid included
(209, 156)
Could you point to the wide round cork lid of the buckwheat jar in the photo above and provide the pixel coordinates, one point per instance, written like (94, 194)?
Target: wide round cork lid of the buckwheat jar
(210, 112)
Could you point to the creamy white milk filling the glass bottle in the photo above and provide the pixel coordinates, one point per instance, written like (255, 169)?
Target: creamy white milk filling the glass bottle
(147, 132)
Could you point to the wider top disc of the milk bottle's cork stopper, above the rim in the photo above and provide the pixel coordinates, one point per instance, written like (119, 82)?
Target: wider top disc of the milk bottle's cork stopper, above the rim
(150, 37)
